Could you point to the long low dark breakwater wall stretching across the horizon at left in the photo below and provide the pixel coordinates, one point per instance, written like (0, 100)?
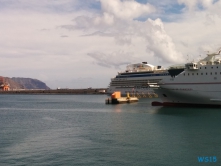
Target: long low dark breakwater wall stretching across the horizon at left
(56, 91)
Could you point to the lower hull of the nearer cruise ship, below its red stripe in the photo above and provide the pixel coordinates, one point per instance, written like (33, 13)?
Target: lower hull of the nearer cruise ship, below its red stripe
(208, 94)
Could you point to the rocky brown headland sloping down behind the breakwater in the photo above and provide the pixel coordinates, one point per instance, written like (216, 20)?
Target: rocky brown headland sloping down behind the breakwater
(25, 83)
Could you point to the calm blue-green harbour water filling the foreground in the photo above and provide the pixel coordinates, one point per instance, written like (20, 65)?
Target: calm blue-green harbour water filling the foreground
(81, 130)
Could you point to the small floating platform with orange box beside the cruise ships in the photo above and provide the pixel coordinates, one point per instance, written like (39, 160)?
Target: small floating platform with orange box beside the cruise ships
(117, 99)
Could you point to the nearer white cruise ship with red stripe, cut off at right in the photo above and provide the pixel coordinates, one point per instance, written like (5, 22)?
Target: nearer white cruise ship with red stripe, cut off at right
(199, 84)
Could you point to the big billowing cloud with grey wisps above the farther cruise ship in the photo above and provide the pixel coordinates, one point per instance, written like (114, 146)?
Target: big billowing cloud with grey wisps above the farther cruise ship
(156, 43)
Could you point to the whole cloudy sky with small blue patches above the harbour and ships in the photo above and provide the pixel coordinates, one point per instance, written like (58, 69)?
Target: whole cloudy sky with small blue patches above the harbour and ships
(84, 43)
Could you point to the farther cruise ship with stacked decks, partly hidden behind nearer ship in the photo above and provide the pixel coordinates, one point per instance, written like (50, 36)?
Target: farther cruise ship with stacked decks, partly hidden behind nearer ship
(136, 79)
